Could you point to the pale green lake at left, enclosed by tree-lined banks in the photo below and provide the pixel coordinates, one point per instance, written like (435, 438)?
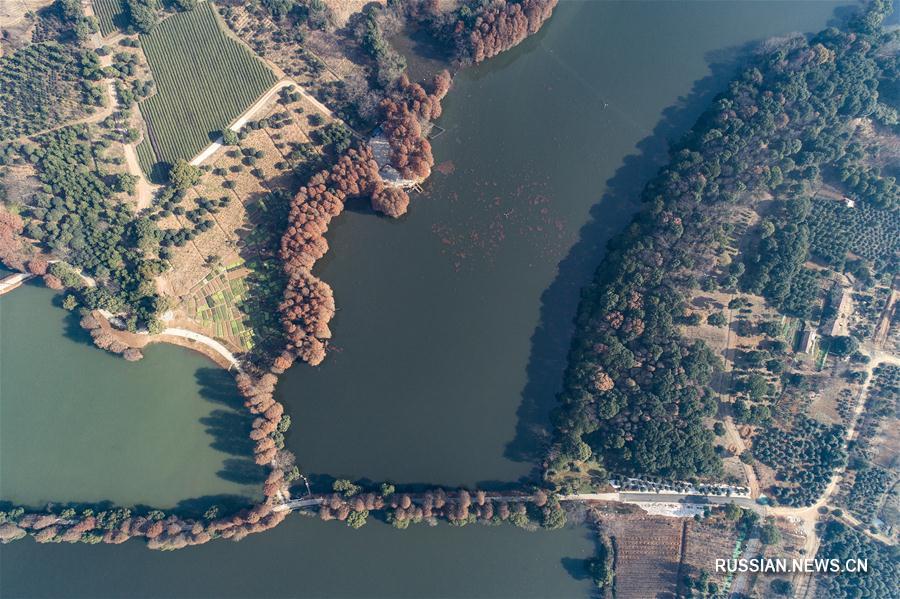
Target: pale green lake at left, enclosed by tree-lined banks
(80, 425)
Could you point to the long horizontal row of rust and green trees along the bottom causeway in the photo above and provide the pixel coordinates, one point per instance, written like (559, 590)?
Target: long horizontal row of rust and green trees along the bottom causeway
(349, 503)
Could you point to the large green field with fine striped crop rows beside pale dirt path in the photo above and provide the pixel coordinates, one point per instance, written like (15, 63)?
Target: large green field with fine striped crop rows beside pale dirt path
(204, 80)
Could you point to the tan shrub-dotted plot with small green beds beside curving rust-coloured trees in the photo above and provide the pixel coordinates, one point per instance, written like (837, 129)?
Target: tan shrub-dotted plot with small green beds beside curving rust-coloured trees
(233, 300)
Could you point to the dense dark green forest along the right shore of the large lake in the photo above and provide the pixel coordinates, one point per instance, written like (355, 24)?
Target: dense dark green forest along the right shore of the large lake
(635, 392)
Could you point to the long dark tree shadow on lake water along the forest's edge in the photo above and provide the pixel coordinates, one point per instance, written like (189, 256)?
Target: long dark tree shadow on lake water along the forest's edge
(551, 340)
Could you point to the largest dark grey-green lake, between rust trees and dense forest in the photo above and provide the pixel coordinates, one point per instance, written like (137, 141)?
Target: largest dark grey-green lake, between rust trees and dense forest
(453, 324)
